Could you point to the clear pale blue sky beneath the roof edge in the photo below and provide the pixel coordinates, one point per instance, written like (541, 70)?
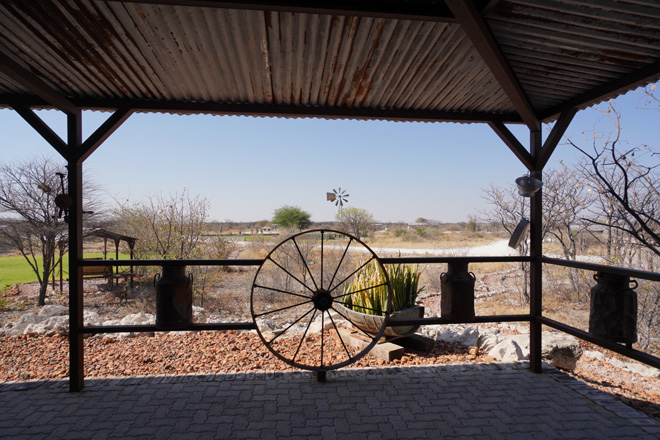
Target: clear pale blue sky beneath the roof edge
(248, 167)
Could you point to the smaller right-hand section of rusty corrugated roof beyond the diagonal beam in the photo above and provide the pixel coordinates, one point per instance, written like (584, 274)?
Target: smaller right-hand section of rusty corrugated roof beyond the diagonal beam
(560, 49)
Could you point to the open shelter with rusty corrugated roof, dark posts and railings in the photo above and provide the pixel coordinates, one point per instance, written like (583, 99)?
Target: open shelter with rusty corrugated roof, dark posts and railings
(472, 61)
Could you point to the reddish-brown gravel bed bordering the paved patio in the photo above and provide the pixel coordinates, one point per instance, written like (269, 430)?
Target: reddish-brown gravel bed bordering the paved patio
(25, 358)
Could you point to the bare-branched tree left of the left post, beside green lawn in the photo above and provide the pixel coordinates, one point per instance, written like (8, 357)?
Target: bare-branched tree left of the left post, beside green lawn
(31, 224)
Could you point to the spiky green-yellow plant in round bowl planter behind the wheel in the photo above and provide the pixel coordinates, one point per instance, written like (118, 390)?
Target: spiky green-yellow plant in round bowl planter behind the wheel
(365, 307)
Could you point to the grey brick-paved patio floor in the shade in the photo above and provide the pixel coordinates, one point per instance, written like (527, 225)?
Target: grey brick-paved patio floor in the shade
(451, 402)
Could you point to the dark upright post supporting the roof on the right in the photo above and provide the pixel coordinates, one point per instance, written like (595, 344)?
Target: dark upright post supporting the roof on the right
(536, 268)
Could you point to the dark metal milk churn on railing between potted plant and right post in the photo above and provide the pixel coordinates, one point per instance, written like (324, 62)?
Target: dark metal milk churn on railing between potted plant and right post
(457, 288)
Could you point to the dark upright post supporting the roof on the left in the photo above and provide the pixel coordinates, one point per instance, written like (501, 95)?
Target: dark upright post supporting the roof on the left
(76, 355)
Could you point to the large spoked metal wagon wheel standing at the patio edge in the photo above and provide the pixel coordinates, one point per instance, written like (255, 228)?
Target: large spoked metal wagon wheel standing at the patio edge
(296, 296)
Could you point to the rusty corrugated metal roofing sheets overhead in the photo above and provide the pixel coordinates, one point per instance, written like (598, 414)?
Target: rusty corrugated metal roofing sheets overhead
(112, 52)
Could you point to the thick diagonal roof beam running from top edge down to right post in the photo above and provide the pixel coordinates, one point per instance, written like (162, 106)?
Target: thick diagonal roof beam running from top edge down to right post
(484, 42)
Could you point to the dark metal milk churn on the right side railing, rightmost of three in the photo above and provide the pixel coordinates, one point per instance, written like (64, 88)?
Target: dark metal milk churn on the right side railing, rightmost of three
(613, 308)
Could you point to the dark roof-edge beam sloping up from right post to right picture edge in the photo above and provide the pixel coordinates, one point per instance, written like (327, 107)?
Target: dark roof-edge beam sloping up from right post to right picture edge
(648, 74)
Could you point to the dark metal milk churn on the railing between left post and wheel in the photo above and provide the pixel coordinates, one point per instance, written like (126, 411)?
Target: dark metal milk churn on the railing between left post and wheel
(173, 298)
